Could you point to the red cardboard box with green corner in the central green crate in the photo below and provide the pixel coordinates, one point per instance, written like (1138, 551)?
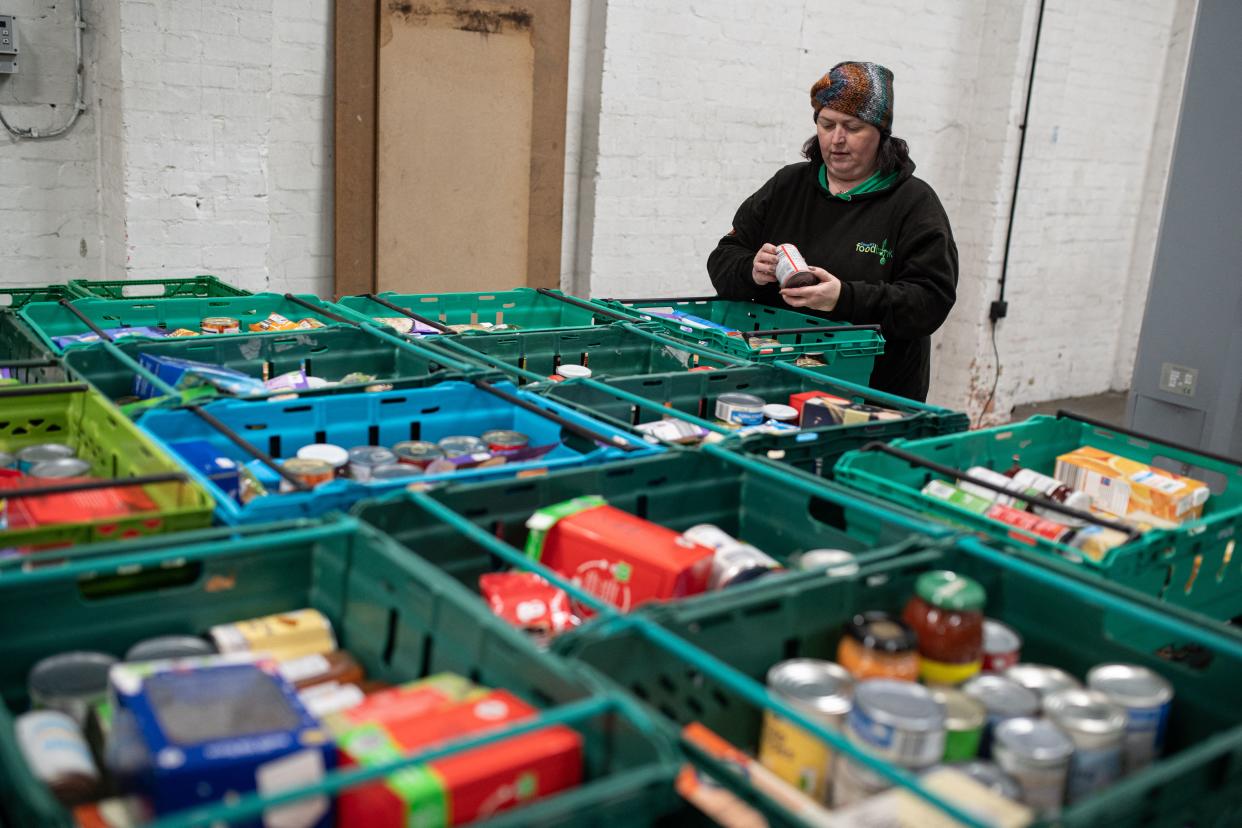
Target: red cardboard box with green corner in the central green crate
(610, 553)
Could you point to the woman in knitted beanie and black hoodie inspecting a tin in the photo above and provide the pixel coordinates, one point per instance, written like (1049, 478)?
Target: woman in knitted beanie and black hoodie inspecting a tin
(876, 238)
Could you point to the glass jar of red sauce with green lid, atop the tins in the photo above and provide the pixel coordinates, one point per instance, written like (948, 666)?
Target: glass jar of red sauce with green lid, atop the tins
(947, 614)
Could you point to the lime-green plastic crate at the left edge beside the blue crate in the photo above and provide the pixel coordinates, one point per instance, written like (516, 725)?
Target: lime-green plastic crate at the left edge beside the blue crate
(116, 449)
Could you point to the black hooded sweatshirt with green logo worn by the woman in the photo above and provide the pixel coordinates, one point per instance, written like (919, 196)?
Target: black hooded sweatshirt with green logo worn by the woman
(894, 253)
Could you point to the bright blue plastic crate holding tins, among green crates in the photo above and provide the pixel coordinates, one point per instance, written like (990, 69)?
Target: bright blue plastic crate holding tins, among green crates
(455, 408)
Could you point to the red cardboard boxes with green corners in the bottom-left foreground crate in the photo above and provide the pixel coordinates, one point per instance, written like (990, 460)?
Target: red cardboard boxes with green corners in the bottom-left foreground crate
(464, 788)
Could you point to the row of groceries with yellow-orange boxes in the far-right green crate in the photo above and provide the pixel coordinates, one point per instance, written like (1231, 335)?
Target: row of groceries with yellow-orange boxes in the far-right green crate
(1090, 481)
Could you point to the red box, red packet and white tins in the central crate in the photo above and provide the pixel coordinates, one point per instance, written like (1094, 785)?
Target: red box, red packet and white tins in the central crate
(628, 562)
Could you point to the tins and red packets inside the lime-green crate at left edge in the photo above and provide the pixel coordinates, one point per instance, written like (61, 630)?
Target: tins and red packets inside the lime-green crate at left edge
(53, 464)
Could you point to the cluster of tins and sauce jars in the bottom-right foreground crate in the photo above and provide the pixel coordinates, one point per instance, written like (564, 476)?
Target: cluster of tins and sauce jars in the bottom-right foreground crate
(1030, 733)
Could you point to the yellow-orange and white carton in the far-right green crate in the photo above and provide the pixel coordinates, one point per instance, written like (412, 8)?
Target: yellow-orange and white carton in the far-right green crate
(1122, 486)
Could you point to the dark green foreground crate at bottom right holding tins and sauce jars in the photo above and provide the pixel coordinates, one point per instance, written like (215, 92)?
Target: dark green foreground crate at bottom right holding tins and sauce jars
(1198, 783)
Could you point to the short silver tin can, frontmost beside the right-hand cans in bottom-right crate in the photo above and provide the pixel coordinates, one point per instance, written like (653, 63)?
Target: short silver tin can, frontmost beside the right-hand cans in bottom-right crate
(1038, 755)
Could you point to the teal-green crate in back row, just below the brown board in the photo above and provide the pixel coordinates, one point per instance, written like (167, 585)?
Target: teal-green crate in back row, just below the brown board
(525, 308)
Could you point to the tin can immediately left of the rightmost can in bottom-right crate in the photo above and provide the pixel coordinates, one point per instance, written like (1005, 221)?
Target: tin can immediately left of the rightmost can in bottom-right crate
(1097, 727)
